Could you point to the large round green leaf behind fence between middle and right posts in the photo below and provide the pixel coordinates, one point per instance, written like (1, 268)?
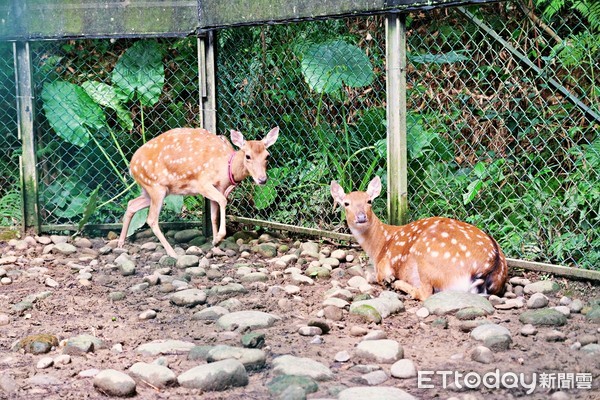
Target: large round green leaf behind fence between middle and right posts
(327, 66)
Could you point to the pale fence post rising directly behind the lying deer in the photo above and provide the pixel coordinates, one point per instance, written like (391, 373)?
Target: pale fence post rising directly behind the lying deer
(395, 33)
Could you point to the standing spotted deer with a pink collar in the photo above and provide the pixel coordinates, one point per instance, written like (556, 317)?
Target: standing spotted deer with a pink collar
(187, 161)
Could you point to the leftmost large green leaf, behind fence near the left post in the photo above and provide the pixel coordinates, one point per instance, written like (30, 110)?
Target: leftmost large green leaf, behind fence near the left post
(71, 112)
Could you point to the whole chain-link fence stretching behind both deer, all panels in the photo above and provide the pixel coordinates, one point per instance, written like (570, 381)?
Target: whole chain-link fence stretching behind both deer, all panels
(502, 120)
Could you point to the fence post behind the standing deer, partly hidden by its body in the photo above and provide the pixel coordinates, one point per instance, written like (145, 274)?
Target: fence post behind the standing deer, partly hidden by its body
(207, 71)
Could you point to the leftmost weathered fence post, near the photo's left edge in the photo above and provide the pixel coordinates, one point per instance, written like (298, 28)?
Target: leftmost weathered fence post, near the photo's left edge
(25, 117)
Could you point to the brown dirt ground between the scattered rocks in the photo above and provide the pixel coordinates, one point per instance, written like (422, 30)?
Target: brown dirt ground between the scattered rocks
(77, 307)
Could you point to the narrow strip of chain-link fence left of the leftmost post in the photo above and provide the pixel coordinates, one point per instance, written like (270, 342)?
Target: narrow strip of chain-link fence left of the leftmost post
(10, 194)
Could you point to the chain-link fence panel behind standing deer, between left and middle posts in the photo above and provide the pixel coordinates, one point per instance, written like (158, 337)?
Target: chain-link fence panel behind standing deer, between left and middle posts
(99, 101)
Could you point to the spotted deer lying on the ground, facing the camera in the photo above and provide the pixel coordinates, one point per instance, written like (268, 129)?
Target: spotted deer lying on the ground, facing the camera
(425, 256)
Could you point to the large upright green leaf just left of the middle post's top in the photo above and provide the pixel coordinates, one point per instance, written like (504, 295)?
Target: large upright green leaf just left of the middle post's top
(140, 71)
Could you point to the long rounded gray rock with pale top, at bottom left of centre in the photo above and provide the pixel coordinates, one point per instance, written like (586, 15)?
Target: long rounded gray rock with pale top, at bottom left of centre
(216, 376)
